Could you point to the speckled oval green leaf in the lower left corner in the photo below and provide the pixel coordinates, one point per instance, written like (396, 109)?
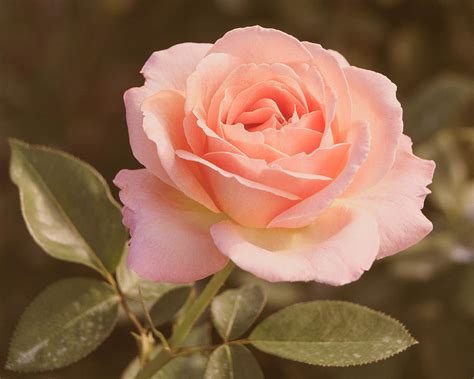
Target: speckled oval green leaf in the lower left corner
(63, 324)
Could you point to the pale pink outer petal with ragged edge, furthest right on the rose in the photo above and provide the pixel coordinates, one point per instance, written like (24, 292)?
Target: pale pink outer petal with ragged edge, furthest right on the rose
(396, 201)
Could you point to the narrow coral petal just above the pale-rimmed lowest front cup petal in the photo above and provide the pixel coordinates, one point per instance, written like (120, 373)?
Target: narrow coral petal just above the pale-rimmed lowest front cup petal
(257, 170)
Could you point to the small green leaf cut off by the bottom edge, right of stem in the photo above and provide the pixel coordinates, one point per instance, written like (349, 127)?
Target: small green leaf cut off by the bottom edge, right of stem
(232, 362)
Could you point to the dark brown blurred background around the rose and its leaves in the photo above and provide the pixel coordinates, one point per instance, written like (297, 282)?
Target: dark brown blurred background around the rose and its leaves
(64, 65)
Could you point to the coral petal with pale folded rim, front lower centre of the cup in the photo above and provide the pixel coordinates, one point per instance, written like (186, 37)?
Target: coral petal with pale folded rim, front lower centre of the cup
(241, 198)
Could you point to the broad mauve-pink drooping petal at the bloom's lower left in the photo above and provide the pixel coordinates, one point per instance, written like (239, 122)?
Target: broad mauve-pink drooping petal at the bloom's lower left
(170, 233)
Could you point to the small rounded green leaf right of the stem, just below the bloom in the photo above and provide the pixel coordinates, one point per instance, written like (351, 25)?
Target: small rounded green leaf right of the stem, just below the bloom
(234, 311)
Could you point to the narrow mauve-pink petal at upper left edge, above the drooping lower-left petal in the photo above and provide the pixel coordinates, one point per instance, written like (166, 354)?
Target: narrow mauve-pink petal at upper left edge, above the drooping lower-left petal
(143, 149)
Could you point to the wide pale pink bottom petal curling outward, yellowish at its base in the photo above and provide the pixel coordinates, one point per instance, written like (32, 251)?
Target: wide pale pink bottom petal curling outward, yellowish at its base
(336, 249)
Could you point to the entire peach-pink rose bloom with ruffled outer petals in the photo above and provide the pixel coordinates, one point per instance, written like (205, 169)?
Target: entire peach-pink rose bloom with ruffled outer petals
(274, 153)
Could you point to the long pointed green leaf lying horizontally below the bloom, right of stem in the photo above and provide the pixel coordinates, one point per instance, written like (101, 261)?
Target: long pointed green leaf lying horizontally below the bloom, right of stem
(331, 333)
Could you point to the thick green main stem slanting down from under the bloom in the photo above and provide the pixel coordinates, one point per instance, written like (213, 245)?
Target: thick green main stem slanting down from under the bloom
(189, 319)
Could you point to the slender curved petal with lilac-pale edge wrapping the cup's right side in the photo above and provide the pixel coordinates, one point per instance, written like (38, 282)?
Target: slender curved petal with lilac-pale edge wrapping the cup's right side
(306, 211)
